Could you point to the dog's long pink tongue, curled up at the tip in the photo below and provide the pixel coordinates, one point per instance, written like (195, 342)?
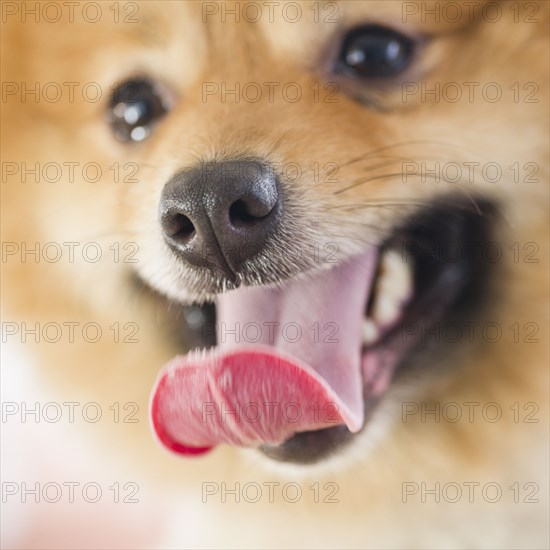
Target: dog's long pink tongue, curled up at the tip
(288, 360)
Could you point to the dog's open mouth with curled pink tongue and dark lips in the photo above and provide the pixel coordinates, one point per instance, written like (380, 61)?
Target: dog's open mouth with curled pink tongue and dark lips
(297, 370)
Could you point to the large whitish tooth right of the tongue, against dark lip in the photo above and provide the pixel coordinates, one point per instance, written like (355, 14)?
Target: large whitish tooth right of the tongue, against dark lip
(394, 287)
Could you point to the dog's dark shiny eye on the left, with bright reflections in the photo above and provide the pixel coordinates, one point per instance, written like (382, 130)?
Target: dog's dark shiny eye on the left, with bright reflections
(135, 105)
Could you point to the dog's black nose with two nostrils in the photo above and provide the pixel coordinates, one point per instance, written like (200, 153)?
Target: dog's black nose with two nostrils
(221, 214)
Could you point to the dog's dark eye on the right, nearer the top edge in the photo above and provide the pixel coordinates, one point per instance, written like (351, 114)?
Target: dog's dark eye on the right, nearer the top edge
(374, 52)
